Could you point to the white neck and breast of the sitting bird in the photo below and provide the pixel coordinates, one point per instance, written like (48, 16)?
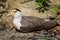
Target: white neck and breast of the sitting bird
(17, 20)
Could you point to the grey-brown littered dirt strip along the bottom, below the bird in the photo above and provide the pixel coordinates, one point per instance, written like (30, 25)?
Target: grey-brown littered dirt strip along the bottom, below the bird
(38, 35)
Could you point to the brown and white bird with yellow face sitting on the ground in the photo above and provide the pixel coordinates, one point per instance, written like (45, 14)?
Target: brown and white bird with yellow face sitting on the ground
(30, 23)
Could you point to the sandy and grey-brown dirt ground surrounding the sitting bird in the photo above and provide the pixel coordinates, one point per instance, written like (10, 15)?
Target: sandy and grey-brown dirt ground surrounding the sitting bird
(28, 9)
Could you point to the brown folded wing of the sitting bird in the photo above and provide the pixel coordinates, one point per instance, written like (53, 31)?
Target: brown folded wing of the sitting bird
(34, 23)
